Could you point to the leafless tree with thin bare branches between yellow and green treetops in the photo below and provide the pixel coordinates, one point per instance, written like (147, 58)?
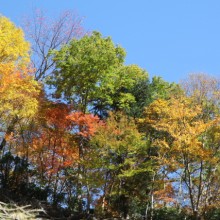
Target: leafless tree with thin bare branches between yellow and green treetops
(46, 34)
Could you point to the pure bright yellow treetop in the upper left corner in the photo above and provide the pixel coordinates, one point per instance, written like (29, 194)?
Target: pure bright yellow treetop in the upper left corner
(13, 47)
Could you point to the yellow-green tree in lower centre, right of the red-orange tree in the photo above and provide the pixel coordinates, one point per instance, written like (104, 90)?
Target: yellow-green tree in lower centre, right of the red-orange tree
(123, 158)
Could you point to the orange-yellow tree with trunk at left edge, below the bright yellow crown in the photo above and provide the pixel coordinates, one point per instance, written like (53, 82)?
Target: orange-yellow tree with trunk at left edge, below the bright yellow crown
(19, 95)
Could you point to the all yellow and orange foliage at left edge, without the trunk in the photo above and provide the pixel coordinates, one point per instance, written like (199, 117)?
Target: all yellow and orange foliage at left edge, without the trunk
(18, 90)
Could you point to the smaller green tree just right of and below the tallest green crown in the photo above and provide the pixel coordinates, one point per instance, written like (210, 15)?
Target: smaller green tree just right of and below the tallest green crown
(124, 96)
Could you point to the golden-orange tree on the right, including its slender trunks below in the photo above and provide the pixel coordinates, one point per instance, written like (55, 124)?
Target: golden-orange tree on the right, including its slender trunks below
(180, 136)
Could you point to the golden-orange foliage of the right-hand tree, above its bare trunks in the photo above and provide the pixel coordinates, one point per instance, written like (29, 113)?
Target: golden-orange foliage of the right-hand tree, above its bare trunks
(182, 122)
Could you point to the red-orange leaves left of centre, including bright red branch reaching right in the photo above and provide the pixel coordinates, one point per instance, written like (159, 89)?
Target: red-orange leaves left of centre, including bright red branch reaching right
(57, 146)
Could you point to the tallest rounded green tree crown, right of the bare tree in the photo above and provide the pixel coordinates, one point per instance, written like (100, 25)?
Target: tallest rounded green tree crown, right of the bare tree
(84, 67)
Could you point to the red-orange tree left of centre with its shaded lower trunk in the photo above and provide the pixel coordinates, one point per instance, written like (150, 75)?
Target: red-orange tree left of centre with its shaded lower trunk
(53, 150)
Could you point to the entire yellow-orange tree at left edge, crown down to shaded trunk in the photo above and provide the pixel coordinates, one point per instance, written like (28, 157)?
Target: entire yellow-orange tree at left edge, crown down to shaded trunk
(19, 95)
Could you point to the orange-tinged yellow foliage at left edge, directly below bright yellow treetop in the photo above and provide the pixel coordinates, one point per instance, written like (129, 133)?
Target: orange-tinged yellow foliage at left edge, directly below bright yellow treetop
(18, 92)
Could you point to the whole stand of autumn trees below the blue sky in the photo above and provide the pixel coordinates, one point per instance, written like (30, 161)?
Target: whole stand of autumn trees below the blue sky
(85, 136)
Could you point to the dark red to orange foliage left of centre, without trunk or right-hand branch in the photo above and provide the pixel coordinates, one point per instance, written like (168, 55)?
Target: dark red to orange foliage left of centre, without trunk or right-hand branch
(54, 148)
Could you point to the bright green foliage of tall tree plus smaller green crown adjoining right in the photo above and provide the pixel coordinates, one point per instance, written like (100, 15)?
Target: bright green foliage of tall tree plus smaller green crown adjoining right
(90, 73)
